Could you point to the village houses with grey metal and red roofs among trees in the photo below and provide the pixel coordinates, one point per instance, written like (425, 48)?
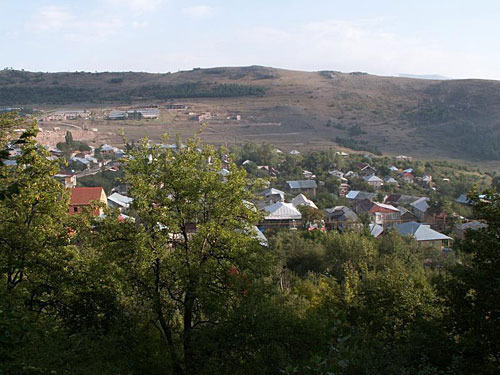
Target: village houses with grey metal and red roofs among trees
(391, 197)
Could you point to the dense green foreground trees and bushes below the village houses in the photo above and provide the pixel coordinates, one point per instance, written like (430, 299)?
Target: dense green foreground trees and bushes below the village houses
(82, 294)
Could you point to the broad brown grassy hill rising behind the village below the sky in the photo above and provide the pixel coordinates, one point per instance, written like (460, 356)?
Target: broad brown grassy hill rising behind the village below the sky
(424, 118)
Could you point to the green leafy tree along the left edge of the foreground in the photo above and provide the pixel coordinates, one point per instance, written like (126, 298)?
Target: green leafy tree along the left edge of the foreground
(34, 250)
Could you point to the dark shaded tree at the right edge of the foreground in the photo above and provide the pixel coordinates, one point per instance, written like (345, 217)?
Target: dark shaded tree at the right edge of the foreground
(474, 290)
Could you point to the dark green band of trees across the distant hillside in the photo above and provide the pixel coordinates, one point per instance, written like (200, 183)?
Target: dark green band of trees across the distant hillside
(60, 94)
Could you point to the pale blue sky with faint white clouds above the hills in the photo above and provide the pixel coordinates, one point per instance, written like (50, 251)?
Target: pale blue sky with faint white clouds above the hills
(452, 38)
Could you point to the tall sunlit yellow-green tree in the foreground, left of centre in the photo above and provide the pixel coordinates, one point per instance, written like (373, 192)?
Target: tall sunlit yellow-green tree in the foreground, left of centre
(190, 257)
